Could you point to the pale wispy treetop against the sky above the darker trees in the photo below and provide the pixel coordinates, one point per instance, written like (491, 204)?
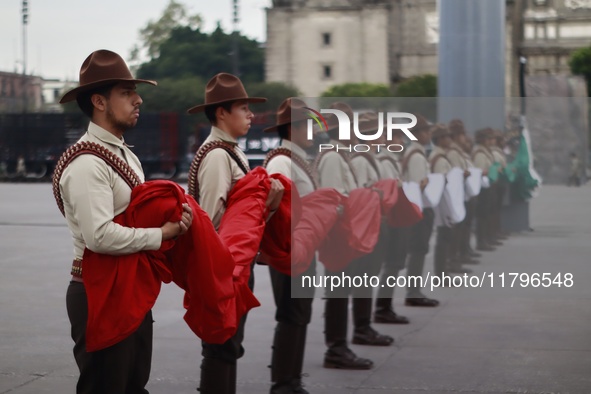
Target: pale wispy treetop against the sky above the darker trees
(157, 32)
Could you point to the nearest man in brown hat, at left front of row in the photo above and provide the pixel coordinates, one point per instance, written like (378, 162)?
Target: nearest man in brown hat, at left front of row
(93, 193)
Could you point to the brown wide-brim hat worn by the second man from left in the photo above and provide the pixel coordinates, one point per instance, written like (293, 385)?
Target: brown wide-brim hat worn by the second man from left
(224, 88)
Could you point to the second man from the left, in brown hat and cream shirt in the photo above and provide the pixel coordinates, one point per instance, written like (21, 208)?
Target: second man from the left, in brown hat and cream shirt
(218, 165)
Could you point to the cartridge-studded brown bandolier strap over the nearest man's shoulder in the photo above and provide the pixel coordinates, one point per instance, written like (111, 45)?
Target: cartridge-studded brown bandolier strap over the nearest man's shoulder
(91, 148)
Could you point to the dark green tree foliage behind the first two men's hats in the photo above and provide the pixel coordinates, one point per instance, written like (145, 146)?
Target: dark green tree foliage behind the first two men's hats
(189, 52)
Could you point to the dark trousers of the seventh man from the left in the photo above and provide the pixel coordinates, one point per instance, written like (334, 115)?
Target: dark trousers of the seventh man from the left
(418, 244)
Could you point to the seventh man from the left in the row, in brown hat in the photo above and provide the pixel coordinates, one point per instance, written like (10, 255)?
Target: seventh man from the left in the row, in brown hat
(416, 168)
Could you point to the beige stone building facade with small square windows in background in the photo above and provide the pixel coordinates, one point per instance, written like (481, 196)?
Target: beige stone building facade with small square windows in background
(313, 44)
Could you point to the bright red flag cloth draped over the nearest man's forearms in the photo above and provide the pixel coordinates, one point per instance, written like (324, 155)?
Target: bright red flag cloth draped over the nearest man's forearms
(122, 289)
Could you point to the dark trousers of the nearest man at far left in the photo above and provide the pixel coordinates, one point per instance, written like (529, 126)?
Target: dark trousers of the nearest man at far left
(123, 368)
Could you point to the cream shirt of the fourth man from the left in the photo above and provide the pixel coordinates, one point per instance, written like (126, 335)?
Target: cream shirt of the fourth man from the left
(335, 172)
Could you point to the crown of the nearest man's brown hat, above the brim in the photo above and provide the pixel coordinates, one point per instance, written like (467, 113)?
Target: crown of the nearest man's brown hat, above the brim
(101, 65)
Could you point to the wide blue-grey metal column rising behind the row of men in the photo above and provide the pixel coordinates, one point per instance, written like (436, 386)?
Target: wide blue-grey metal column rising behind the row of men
(472, 62)
